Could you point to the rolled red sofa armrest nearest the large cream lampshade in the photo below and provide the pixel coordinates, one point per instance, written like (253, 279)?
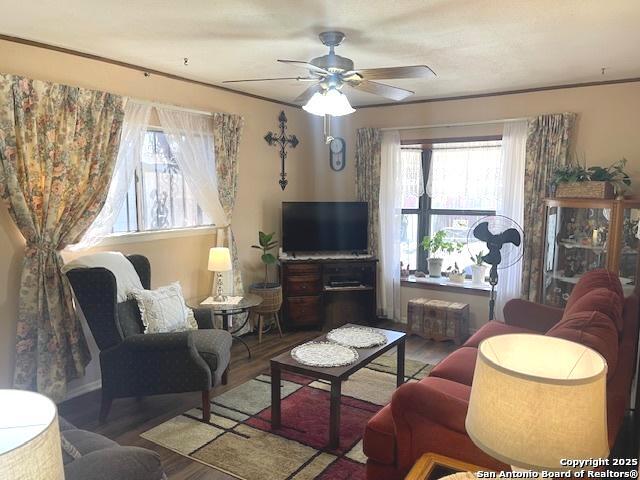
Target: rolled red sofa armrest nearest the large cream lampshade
(424, 400)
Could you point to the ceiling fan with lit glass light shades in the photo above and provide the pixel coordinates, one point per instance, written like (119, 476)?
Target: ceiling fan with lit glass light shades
(330, 73)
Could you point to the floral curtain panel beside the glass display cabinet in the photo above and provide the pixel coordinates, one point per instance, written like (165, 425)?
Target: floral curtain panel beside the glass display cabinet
(548, 146)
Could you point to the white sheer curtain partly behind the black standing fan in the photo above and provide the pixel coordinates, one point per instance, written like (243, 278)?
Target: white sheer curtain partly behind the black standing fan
(511, 204)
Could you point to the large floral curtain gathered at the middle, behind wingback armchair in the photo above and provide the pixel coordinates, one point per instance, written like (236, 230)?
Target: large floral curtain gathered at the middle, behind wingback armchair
(58, 146)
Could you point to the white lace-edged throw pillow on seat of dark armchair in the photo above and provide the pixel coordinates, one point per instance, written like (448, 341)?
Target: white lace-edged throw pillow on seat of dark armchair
(164, 310)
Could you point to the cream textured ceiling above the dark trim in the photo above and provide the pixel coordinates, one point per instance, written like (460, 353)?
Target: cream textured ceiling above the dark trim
(474, 46)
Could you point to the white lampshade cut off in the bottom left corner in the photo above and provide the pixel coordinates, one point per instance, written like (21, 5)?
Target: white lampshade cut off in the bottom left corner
(29, 437)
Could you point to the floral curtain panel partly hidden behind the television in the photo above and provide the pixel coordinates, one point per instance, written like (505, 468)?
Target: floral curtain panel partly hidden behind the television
(368, 155)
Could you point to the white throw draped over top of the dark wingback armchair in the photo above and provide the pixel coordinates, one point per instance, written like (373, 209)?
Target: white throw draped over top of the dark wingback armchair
(127, 278)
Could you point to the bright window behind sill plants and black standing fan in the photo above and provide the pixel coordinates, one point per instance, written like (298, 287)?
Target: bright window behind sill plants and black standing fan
(461, 185)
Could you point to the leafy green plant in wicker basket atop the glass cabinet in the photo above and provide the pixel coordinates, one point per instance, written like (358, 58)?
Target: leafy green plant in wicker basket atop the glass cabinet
(575, 181)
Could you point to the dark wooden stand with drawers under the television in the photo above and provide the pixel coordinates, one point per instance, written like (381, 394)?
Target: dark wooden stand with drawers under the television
(327, 292)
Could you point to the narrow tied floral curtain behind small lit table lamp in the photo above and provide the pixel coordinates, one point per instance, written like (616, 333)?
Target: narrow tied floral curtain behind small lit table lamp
(227, 132)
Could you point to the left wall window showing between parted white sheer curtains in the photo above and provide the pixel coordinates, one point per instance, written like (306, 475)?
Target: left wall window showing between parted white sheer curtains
(158, 198)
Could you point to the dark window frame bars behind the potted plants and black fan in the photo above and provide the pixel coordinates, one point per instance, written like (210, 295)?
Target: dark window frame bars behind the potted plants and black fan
(424, 210)
